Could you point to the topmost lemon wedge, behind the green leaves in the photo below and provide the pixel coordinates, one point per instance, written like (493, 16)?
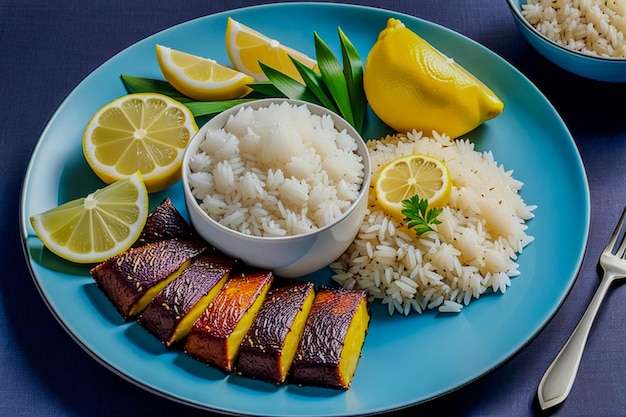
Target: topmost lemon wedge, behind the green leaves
(246, 47)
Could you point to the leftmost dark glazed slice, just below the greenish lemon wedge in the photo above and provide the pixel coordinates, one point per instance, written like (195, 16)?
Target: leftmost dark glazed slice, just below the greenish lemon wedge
(132, 279)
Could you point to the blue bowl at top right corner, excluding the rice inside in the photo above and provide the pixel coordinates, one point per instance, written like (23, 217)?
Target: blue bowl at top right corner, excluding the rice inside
(596, 68)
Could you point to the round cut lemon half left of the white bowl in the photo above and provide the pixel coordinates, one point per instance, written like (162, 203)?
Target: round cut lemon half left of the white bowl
(144, 132)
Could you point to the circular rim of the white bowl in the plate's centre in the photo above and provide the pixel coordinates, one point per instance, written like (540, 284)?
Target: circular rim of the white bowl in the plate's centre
(260, 103)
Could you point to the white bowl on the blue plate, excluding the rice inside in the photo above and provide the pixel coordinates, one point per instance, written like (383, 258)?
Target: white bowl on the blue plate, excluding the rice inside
(289, 256)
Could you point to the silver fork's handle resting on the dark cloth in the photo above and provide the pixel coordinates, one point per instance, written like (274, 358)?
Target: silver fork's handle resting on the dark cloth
(559, 377)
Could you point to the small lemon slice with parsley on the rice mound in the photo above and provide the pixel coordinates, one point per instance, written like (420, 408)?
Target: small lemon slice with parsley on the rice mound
(406, 176)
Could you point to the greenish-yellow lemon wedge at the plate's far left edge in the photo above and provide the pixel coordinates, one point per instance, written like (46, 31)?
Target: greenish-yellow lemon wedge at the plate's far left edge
(92, 229)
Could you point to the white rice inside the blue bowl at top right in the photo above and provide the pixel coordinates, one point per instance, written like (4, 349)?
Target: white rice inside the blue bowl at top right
(592, 27)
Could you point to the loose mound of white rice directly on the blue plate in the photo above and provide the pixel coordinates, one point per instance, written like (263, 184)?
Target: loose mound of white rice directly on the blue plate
(472, 251)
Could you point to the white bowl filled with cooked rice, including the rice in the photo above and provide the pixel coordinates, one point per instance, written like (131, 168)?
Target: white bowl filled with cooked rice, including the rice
(279, 184)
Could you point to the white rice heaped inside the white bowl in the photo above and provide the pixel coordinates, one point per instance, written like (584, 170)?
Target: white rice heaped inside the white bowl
(276, 171)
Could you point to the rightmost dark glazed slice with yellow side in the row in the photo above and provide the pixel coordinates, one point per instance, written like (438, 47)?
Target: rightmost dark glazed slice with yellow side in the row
(333, 338)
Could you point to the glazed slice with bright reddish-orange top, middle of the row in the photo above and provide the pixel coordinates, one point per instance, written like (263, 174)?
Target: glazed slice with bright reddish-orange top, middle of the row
(216, 335)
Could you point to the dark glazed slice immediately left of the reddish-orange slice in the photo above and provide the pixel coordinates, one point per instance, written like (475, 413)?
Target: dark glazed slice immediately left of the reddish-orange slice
(170, 315)
